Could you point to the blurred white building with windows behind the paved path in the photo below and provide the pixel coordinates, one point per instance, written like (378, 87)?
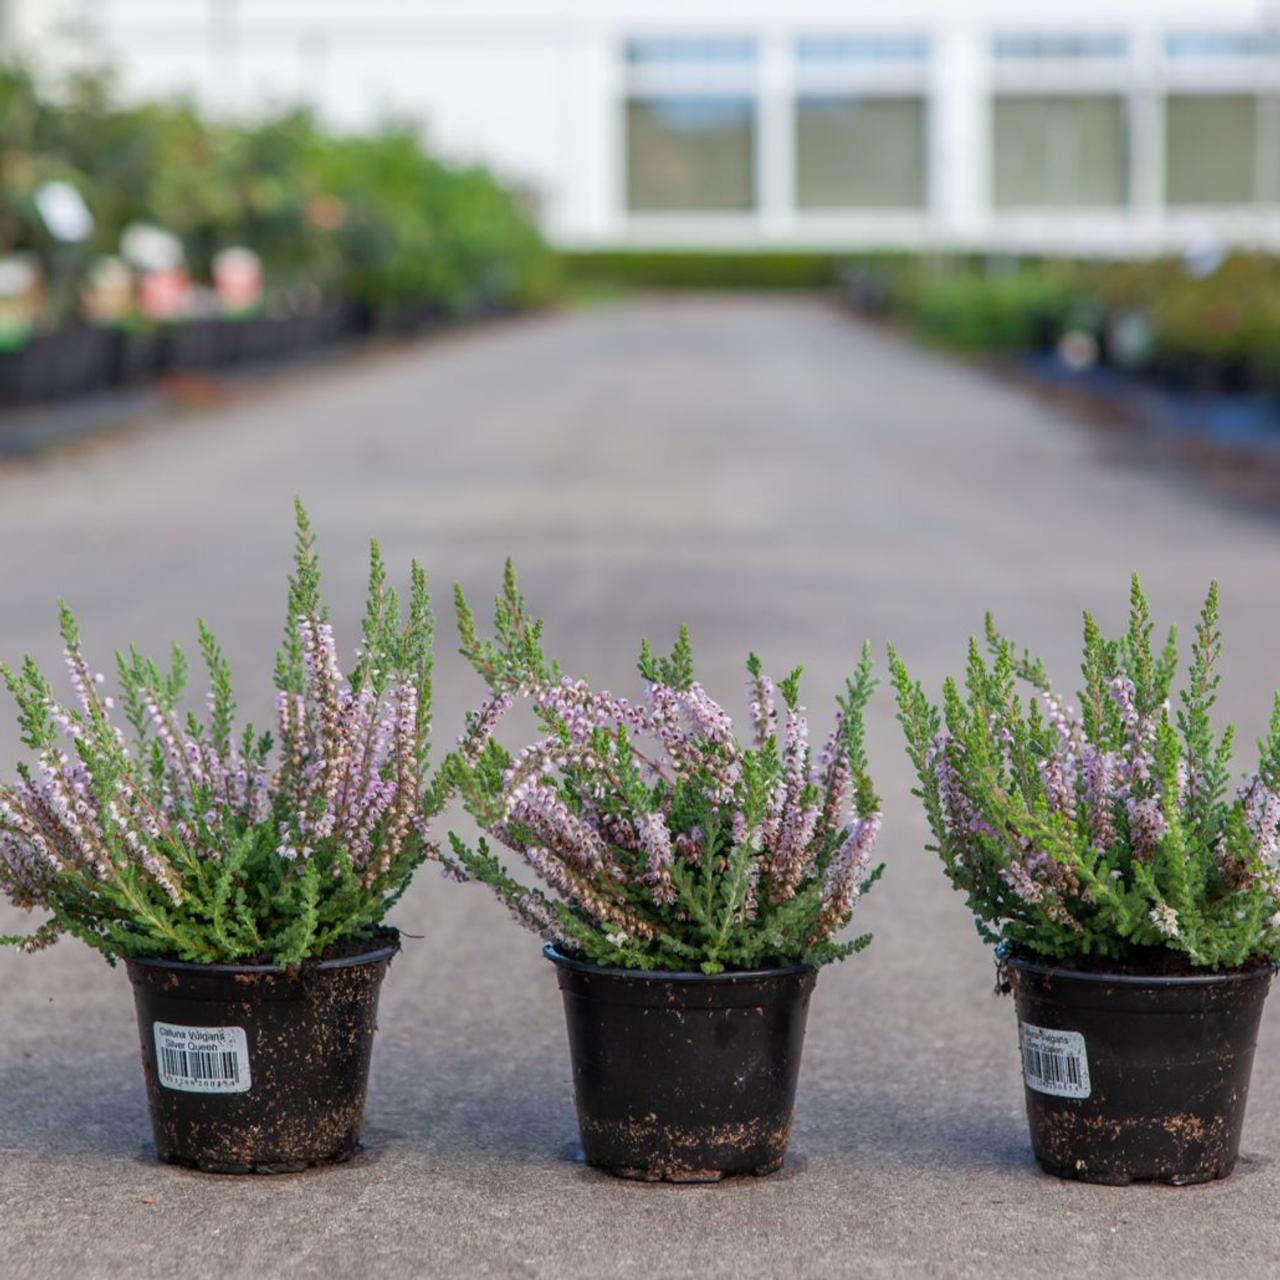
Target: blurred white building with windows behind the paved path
(1087, 127)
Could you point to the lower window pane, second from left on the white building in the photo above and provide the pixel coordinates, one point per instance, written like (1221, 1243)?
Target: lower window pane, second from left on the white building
(860, 153)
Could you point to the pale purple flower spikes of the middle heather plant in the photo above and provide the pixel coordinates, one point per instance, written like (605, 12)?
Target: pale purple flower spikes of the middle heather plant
(614, 849)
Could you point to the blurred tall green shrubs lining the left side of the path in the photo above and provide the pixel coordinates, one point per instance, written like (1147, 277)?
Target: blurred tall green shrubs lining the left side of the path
(373, 221)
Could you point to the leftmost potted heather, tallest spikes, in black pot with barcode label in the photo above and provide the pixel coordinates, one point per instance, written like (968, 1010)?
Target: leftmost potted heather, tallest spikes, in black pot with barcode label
(244, 881)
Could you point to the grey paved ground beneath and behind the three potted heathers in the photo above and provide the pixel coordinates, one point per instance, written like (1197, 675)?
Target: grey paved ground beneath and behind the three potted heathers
(784, 481)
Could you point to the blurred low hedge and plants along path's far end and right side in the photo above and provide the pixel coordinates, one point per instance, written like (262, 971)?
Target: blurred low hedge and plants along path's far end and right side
(1210, 321)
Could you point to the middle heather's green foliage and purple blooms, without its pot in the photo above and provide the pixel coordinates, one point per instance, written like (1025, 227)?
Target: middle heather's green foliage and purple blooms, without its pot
(661, 842)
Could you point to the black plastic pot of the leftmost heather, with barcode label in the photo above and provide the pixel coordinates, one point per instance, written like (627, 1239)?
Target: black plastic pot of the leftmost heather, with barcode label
(255, 1068)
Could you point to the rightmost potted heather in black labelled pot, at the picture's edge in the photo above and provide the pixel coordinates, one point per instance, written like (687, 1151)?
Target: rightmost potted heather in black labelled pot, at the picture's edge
(1132, 893)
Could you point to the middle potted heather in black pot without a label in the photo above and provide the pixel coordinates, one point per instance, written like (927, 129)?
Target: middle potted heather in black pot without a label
(692, 888)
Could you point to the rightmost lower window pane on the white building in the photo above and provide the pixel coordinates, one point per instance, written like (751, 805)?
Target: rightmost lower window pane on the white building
(1212, 150)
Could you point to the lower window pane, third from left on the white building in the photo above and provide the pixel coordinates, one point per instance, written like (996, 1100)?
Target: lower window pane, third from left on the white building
(1060, 153)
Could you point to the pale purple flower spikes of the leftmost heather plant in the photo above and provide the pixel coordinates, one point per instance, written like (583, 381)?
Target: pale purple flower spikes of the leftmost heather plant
(348, 775)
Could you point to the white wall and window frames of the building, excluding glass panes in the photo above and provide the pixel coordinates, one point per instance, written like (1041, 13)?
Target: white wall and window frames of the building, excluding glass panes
(536, 88)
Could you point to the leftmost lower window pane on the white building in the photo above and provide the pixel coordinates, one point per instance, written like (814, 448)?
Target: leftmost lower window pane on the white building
(691, 153)
